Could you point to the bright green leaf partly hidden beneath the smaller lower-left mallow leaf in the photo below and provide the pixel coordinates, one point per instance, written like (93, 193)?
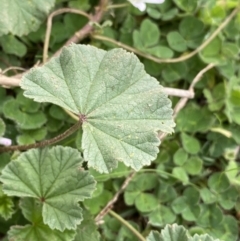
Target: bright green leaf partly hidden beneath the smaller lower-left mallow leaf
(37, 231)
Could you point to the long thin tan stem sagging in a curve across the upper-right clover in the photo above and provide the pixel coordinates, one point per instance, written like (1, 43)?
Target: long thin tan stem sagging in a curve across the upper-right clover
(174, 60)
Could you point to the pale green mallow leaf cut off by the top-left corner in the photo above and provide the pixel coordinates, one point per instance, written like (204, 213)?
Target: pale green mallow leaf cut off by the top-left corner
(20, 19)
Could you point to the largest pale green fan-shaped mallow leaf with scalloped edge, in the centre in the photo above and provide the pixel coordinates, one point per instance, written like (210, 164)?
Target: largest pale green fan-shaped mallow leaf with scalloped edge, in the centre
(122, 107)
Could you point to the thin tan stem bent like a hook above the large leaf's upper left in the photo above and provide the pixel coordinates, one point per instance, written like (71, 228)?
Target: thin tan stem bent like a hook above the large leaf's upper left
(49, 26)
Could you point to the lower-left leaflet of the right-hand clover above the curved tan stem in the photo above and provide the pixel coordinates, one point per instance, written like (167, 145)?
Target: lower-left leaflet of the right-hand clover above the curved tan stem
(176, 41)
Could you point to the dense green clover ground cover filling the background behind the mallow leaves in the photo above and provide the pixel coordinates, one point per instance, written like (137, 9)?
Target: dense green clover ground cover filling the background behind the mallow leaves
(195, 179)
